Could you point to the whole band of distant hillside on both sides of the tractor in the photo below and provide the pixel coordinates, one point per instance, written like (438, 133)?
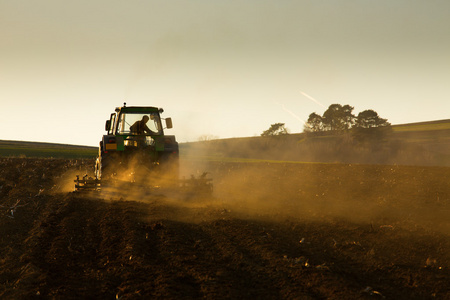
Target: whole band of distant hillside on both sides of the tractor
(419, 143)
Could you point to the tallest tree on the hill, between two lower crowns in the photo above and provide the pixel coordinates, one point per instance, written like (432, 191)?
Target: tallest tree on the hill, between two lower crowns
(338, 117)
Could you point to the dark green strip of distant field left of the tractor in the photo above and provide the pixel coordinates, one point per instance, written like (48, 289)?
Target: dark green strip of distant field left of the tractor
(35, 149)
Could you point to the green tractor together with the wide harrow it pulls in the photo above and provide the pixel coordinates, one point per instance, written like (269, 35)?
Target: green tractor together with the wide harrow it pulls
(135, 149)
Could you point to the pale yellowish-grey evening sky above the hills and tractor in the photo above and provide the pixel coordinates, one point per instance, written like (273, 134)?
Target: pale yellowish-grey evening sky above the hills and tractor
(219, 68)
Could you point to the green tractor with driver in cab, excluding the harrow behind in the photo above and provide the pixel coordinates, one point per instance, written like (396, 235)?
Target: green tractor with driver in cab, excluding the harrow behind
(135, 142)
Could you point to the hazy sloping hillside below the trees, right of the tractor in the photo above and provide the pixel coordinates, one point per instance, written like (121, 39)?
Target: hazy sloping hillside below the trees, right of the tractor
(424, 143)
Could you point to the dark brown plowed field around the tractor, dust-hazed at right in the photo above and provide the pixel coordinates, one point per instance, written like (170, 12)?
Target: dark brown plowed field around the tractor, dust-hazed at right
(270, 231)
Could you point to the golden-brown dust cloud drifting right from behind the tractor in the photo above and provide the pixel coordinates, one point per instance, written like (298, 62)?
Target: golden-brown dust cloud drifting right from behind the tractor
(373, 194)
